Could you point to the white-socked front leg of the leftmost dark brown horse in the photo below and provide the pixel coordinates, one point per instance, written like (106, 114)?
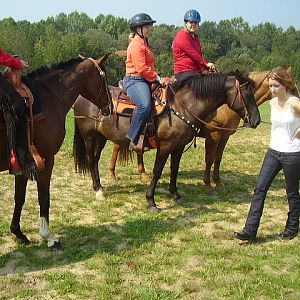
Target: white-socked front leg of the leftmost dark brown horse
(43, 185)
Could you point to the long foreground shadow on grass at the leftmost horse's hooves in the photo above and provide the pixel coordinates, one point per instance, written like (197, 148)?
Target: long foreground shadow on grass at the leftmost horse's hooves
(84, 242)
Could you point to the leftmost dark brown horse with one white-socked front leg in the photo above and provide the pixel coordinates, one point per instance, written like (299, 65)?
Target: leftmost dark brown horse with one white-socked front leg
(58, 87)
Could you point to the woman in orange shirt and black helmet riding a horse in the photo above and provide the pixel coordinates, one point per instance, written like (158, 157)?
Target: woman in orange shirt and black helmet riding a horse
(140, 73)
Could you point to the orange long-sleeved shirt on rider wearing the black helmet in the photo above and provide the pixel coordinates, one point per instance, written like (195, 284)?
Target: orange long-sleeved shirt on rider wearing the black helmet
(140, 59)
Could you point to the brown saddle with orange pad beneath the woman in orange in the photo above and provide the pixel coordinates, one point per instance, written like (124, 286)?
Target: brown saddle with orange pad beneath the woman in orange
(124, 106)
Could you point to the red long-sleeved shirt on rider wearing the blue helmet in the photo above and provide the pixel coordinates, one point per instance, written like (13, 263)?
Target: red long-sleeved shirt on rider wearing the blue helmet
(187, 53)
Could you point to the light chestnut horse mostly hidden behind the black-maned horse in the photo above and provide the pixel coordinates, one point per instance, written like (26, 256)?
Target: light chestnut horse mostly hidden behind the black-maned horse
(216, 138)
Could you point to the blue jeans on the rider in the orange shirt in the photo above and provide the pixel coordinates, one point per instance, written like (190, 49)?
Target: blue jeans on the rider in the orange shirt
(140, 92)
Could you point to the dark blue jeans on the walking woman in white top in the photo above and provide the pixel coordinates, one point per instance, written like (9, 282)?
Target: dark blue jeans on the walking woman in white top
(273, 162)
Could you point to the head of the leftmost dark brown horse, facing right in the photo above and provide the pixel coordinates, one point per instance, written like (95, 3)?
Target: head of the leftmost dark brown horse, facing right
(96, 88)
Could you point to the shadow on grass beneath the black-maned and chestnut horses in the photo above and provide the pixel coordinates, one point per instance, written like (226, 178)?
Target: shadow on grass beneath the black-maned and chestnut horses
(238, 188)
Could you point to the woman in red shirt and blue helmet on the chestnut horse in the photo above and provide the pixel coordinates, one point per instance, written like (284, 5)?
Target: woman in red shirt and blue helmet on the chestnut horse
(187, 50)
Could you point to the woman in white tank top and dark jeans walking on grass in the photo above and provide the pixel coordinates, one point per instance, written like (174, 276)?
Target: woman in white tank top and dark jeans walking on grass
(283, 154)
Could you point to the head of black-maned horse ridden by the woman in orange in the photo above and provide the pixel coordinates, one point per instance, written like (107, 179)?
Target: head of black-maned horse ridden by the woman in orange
(240, 97)
